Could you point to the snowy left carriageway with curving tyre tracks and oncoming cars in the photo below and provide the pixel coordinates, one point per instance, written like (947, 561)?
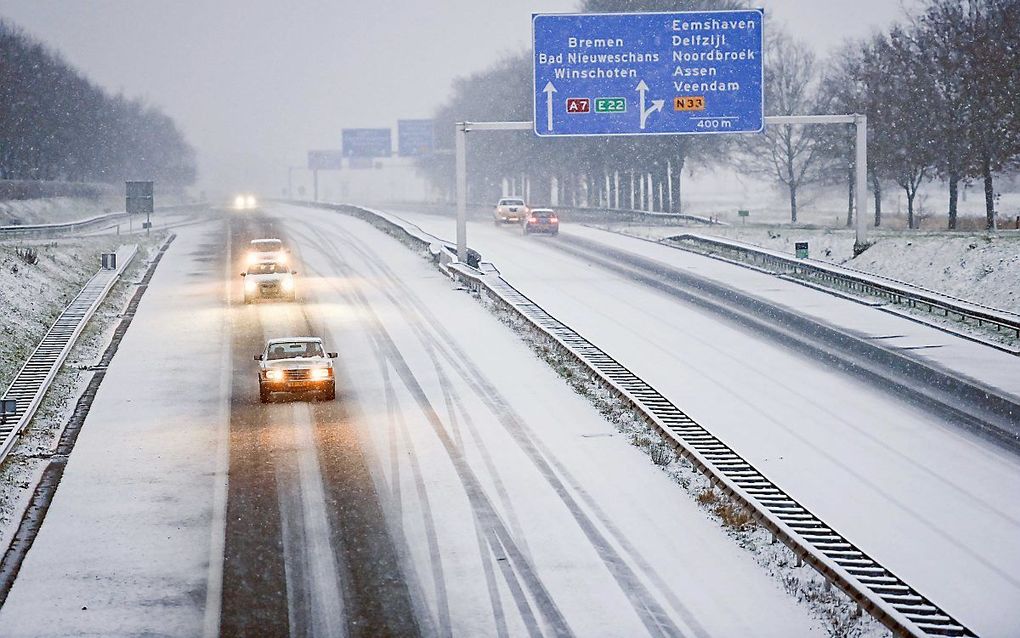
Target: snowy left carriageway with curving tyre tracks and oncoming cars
(457, 486)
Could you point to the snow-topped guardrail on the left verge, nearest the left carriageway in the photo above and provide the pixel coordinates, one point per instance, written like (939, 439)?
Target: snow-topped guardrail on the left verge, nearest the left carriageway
(37, 374)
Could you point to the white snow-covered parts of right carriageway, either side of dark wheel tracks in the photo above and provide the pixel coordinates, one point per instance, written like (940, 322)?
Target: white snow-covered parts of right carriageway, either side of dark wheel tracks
(935, 505)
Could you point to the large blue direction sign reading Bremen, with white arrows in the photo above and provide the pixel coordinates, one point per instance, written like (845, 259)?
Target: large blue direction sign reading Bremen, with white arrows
(648, 74)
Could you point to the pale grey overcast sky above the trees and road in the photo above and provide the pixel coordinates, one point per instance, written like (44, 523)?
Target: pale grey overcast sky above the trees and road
(254, 84)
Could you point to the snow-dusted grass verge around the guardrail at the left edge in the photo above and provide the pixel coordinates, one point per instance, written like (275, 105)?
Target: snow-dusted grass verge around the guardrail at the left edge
(80, 258)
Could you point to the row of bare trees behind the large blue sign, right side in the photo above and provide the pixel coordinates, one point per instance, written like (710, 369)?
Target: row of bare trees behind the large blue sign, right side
(940, 92)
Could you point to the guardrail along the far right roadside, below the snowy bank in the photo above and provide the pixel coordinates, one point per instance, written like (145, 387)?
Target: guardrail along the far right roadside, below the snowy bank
(855, 281)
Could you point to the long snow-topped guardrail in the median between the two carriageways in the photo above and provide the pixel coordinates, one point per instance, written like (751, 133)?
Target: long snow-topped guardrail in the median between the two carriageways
(878, 591)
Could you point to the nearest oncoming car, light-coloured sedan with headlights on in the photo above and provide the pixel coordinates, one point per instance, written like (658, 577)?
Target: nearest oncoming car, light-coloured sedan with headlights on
(296, 366)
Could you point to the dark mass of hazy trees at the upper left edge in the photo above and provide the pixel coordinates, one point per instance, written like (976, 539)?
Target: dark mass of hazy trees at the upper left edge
(57, 125)
